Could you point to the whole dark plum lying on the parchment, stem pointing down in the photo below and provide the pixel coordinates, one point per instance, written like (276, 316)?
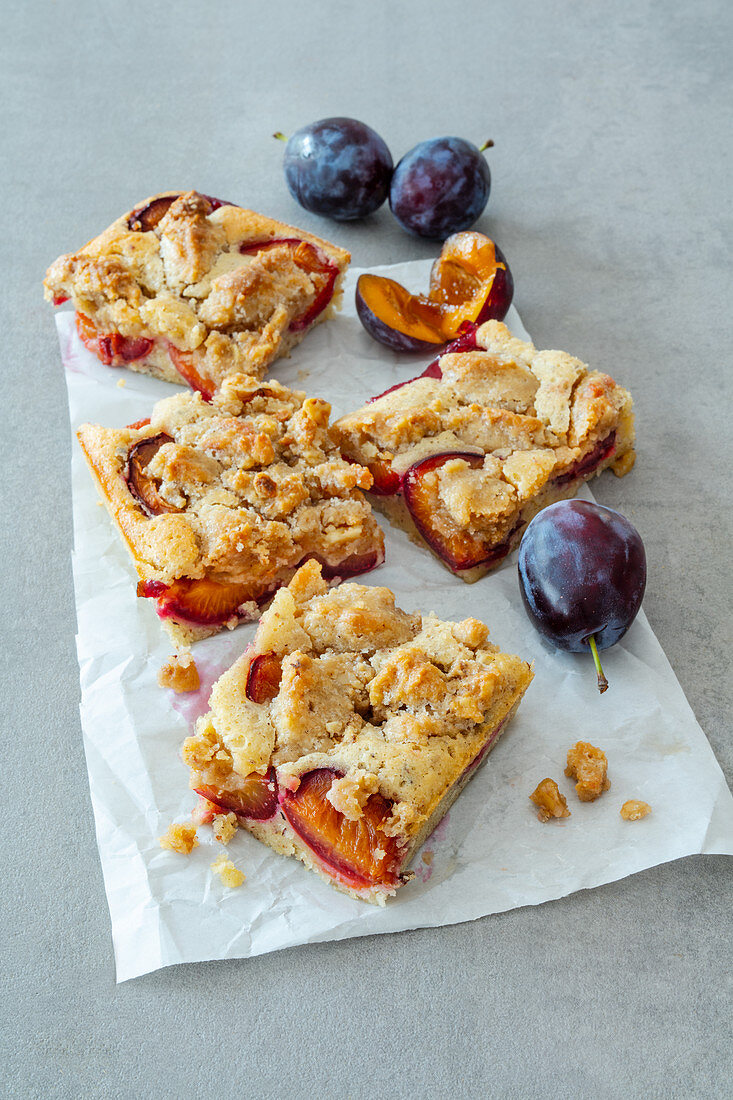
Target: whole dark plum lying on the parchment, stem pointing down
(583, 573)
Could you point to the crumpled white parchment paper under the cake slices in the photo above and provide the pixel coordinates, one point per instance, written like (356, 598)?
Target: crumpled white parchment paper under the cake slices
(490, 854)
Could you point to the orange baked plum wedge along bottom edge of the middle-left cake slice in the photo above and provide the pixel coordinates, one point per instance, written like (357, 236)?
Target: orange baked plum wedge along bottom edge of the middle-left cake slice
(202, 602)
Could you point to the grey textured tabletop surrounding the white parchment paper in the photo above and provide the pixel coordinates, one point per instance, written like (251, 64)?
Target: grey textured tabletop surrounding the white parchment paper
(611, 199)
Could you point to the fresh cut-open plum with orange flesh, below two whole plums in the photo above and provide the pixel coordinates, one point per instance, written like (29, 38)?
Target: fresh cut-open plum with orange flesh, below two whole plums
(471, 283)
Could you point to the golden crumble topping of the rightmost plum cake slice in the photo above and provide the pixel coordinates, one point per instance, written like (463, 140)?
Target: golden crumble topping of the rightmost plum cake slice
(531, 416)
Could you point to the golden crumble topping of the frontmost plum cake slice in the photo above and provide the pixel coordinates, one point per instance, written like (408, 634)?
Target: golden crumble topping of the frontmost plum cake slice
(398, 703)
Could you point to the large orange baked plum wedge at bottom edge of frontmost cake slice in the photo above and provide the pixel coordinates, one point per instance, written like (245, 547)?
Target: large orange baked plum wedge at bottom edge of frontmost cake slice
(356, 853)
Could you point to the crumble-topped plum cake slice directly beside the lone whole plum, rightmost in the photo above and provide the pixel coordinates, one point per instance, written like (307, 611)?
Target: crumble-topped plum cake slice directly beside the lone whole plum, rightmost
(494, 432)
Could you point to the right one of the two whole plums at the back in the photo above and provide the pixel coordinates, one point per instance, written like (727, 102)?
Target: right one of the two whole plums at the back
(440, 188)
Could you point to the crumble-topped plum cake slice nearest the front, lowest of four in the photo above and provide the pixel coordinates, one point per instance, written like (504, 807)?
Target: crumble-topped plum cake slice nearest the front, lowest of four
(347, 730)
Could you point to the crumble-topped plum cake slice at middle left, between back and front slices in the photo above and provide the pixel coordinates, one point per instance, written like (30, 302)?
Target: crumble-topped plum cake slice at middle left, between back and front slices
(220, 502)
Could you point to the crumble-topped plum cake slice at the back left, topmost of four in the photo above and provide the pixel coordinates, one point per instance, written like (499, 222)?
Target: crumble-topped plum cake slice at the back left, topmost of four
(191, 290)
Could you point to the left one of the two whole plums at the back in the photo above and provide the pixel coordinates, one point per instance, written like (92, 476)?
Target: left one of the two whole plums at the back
(338, 168)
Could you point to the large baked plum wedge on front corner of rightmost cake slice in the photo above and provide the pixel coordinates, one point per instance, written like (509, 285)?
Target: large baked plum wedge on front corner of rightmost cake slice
(460, 549)
